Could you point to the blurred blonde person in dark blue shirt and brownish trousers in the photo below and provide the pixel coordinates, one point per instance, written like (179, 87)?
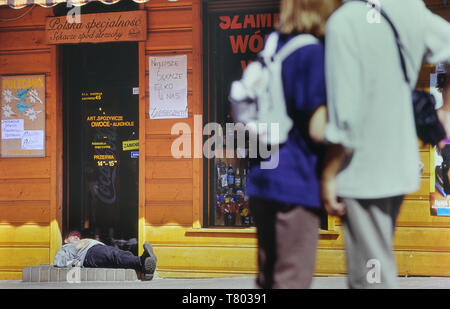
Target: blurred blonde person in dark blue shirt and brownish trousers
(285, 201)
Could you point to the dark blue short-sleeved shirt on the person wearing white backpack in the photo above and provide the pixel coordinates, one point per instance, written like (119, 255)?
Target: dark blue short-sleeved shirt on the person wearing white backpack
(296, 179)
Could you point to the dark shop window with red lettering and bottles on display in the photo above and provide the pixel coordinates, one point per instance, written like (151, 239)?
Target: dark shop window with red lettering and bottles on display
(232, 40)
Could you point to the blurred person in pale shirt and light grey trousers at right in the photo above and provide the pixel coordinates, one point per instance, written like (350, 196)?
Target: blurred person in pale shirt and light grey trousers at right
(372, 158)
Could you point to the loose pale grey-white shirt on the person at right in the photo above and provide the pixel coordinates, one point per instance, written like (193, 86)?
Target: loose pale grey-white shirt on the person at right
(369, 102)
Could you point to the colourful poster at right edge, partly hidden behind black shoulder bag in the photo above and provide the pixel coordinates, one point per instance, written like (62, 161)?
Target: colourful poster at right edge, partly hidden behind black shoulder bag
(440, 195)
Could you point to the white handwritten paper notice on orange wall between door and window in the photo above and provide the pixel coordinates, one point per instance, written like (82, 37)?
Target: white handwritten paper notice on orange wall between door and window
(168, 87)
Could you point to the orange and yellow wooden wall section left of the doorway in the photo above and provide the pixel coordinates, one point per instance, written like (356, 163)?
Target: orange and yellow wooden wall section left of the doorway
(28, 194)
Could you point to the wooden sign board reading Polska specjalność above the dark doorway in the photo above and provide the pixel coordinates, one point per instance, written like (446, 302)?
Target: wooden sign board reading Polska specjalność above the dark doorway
(97, 28)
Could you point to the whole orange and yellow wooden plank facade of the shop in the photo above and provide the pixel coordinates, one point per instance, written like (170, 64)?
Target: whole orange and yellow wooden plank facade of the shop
(174, 195)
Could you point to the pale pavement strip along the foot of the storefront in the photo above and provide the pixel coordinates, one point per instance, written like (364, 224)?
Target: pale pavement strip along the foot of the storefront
(217, 283)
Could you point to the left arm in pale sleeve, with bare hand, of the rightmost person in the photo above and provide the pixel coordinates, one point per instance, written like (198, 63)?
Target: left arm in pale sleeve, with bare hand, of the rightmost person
(343, 99)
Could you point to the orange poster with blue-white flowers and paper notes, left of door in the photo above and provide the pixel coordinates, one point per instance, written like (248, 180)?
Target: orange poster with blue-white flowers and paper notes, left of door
(22, 103)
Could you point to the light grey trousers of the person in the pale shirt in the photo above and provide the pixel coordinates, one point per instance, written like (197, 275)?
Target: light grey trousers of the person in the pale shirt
(368, 234)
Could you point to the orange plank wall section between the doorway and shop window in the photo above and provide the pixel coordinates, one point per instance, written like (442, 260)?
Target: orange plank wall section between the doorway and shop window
(170, 184)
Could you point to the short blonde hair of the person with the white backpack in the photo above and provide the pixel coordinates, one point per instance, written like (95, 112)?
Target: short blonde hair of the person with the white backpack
(306, 16)
